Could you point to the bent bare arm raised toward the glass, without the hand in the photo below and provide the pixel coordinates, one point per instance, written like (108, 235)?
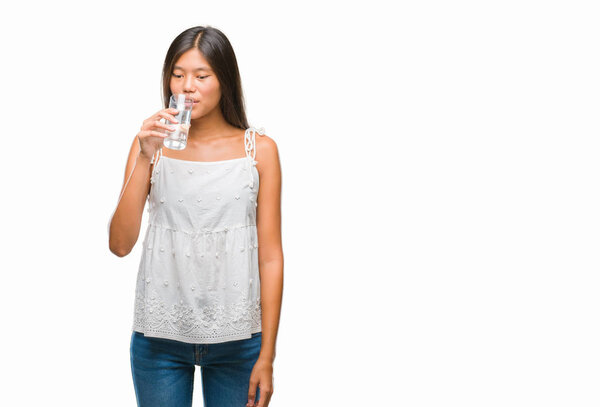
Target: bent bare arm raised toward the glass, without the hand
(126, 221)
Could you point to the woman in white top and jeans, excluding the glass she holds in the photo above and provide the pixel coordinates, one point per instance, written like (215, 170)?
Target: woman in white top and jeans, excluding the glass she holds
(210, 279)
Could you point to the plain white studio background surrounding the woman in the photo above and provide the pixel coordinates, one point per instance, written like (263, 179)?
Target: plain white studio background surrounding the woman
(440, 195)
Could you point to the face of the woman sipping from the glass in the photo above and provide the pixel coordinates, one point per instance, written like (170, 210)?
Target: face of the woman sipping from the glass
(193, 76)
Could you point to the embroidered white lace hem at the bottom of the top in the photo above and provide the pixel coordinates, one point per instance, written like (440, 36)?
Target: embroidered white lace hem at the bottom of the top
(209, 324)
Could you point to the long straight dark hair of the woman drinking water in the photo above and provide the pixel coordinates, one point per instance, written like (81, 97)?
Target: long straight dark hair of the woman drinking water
(217, 50)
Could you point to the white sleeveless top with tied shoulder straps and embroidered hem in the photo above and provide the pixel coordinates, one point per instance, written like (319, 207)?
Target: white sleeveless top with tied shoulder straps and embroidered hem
(198, 278)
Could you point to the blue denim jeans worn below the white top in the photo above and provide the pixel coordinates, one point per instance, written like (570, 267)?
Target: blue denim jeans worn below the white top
(163, 371)
